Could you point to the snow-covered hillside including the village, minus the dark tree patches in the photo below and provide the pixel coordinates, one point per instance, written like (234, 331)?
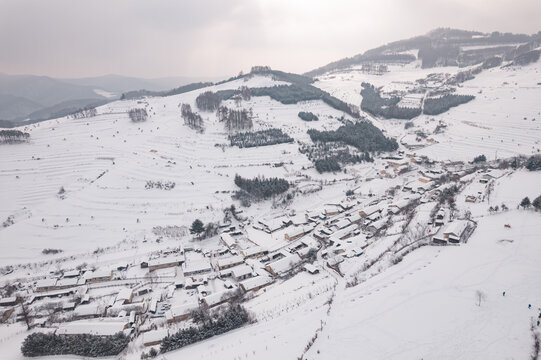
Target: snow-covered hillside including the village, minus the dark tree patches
(347, 266)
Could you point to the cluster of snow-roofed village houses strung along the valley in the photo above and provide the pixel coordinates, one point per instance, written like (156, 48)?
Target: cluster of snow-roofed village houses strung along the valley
(140, 298)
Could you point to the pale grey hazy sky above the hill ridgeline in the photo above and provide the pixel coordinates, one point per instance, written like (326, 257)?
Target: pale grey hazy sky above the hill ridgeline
(157, 38)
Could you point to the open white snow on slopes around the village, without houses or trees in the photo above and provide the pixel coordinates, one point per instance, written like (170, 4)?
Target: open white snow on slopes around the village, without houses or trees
(423, 307)
